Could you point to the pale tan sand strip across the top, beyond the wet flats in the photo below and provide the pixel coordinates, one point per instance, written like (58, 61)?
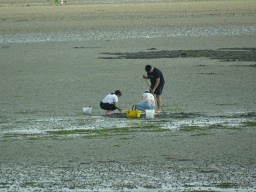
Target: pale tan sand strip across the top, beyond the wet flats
(104, 16)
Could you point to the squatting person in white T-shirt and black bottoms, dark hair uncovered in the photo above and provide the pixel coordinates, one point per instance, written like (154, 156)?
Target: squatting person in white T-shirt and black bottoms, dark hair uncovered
(109, 102)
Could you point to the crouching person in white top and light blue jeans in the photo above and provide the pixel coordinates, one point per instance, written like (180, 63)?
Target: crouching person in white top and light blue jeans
(147, 101)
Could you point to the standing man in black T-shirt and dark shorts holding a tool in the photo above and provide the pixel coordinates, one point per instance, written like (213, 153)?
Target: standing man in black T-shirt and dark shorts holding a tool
(157, 83)
